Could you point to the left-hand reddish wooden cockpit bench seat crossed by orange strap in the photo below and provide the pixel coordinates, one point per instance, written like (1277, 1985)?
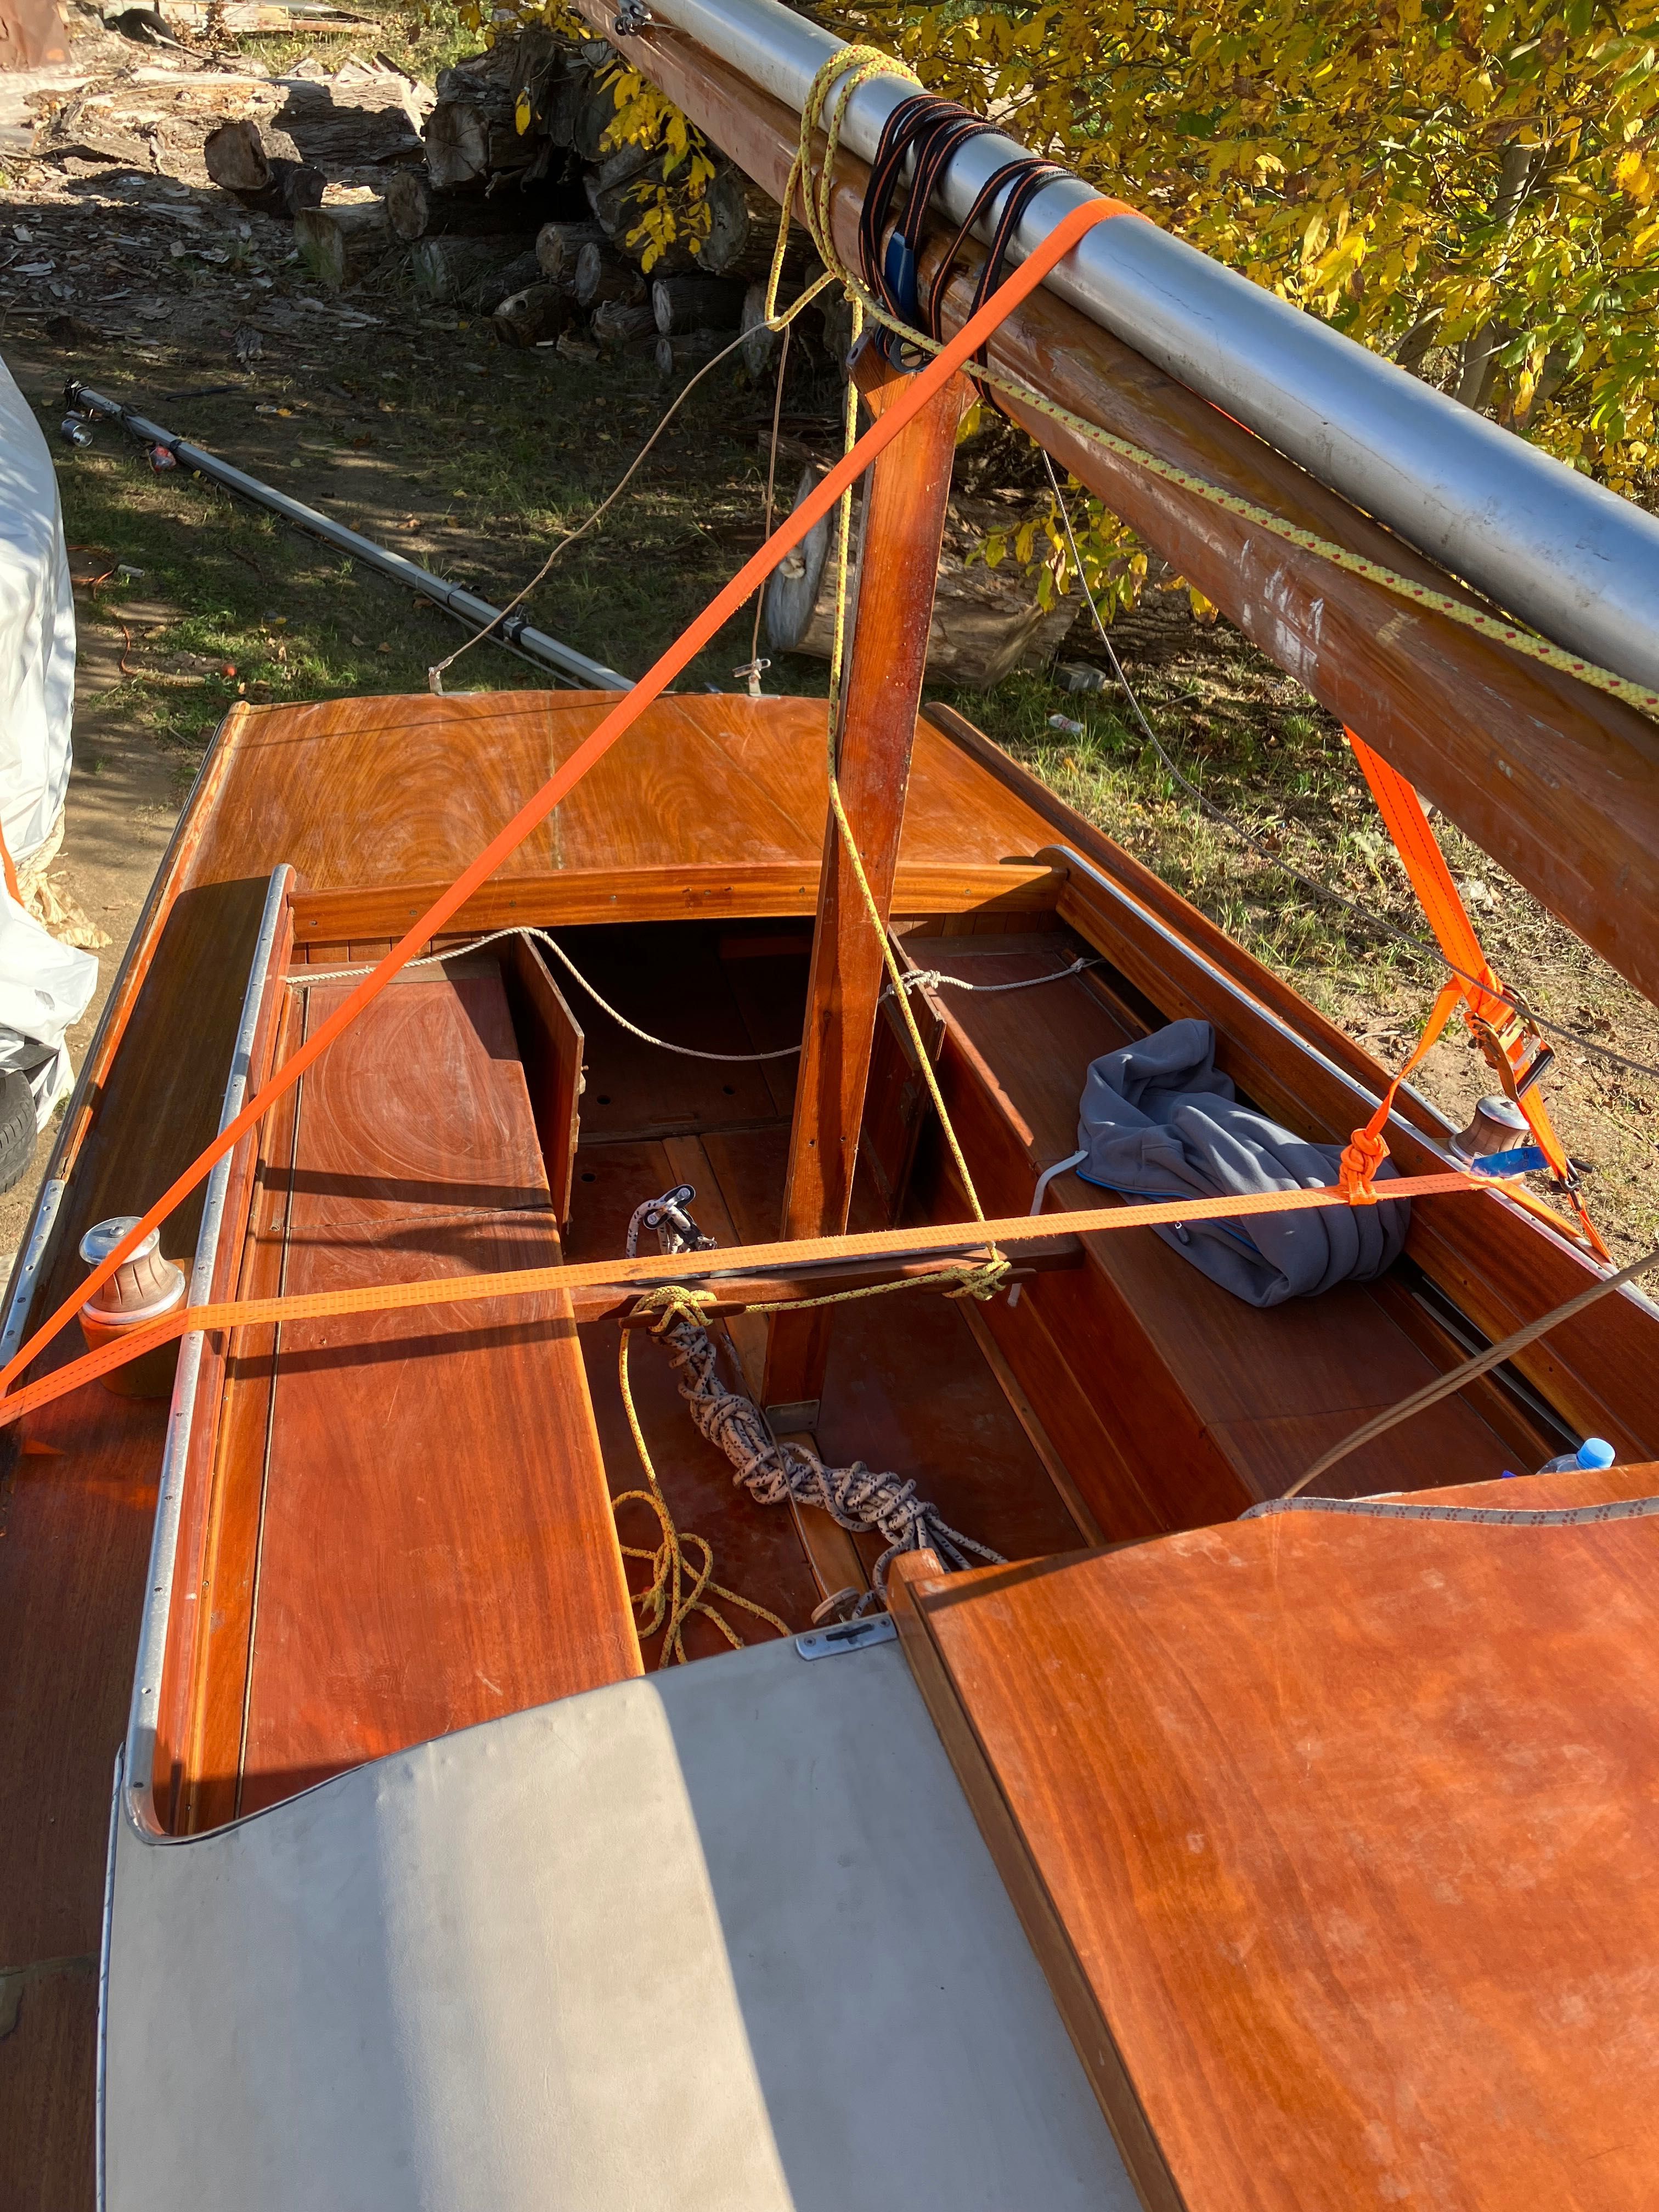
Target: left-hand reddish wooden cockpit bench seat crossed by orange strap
(426, 1523)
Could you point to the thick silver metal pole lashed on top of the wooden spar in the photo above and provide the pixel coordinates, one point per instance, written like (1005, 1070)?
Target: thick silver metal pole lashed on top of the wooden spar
(1536, 536)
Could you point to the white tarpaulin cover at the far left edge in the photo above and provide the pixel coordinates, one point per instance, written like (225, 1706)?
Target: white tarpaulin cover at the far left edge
(45, 985)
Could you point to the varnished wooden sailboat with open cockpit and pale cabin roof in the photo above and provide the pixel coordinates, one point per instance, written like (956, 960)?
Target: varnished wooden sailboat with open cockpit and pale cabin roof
(1187, 1861)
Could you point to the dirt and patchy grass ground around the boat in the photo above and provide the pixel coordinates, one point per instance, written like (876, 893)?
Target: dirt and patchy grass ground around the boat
(415, 428)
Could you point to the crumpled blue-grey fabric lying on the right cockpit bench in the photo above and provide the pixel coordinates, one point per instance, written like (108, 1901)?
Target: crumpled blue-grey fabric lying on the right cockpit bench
(1162, 1123)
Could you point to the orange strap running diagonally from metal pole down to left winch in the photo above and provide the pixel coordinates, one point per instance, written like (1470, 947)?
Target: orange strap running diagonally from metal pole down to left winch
(623, 716)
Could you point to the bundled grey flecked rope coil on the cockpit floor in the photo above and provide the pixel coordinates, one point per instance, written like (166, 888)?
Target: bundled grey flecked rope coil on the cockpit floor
(771, 1472)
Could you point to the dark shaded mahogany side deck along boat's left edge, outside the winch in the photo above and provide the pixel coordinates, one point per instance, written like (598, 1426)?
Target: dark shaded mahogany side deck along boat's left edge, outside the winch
(76, 1519)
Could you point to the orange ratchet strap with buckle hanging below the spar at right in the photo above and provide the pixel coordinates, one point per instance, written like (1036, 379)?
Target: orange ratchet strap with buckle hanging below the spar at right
(1510, 1041)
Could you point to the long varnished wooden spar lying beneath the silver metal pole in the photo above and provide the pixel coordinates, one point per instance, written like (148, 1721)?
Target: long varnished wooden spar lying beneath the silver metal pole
(1558, 782)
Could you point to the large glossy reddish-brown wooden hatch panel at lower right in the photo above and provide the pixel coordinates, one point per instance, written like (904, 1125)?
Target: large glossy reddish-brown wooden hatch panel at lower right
(1346, 1833)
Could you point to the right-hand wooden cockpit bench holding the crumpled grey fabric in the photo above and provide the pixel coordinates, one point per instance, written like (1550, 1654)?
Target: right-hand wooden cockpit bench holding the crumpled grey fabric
(1173, 1401)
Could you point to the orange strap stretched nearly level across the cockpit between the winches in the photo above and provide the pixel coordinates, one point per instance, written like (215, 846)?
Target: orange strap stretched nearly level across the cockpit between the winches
(707, 1269)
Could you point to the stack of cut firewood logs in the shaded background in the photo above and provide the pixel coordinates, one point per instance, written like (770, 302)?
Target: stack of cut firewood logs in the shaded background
(519, 211)
